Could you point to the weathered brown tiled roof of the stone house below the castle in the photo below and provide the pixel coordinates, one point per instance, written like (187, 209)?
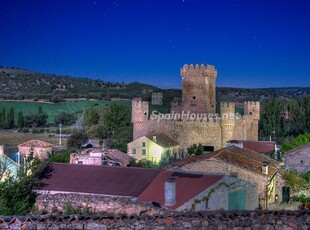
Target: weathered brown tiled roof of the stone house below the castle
(241, 157)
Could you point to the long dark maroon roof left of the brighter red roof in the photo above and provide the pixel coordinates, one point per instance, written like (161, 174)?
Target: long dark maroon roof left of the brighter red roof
(105, 180)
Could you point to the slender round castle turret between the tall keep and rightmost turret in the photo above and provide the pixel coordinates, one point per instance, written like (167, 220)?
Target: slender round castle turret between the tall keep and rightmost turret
(227, 121)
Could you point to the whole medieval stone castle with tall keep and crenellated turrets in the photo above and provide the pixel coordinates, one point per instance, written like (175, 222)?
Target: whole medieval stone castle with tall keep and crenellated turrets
(194, 120)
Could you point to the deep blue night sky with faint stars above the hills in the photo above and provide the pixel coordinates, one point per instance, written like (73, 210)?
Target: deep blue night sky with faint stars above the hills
(251, 43)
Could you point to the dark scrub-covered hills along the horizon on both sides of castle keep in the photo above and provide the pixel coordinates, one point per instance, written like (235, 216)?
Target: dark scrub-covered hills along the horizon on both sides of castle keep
(20, 84)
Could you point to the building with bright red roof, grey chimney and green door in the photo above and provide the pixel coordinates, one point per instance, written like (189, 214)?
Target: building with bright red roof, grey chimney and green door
(179, 190)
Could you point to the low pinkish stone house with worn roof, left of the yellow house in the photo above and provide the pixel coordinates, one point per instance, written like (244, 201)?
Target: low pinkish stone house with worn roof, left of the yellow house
(97, 156)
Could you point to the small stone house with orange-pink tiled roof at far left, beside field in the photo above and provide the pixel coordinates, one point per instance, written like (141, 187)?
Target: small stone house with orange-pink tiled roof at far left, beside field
(39, 149)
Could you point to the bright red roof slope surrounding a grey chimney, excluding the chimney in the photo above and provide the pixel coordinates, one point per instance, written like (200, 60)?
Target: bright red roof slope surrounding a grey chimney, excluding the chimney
(188, 185)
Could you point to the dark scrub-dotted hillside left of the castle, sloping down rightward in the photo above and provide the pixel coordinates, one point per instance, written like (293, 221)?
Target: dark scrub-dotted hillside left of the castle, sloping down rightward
(18, 84)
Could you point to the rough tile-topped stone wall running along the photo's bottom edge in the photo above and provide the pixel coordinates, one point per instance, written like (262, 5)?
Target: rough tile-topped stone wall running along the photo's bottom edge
(255, 220)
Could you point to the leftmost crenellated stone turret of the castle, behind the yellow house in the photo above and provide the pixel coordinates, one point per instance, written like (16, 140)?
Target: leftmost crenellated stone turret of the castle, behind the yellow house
(139, 117)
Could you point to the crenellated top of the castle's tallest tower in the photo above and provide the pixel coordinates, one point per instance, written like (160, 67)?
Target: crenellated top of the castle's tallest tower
(198, 70)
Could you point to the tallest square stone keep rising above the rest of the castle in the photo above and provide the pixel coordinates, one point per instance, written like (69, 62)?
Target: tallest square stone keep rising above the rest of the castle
(198, 88)
